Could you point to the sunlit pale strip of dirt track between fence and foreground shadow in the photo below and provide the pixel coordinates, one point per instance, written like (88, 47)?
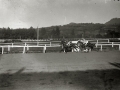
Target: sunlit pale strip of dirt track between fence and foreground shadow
(50, 62)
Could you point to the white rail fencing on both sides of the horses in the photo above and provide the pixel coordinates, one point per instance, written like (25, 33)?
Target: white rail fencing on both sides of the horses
(45, 44)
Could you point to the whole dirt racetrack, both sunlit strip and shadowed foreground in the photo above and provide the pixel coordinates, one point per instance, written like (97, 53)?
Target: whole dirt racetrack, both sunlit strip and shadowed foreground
(60, 71)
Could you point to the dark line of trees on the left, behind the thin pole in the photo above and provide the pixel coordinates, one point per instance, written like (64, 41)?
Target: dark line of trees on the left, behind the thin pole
(30, 33)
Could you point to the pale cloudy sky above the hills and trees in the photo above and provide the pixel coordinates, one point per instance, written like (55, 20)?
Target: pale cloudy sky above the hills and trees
(44, 13)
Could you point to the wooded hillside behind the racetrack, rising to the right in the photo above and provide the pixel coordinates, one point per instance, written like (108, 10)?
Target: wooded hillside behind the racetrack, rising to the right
(87, 29)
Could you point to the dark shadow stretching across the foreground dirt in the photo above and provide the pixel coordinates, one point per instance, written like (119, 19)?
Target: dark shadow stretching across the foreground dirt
(68, 80)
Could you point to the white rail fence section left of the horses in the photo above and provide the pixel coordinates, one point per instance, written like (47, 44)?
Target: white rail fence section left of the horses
(28, 45)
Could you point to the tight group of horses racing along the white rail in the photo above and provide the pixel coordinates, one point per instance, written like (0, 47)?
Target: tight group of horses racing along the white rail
(79, 46)
